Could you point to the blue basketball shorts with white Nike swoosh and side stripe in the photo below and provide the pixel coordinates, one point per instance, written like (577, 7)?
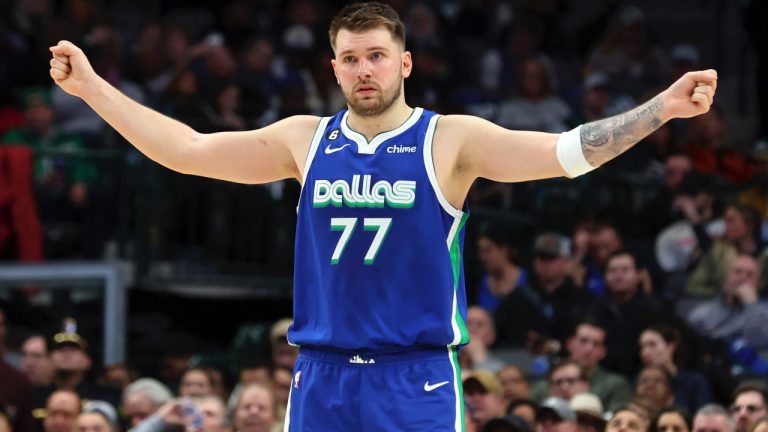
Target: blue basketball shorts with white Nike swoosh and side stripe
(416, 390)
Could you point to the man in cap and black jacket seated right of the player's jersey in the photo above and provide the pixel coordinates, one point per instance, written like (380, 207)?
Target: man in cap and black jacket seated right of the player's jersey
(551, 305)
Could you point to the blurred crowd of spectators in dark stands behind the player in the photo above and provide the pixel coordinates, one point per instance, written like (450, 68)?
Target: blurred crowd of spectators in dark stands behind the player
(636, 293)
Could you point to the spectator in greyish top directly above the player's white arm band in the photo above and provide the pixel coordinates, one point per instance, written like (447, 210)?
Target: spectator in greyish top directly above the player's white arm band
(536, 107)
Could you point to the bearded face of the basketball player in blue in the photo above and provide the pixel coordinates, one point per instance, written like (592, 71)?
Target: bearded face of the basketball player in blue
(370, 67)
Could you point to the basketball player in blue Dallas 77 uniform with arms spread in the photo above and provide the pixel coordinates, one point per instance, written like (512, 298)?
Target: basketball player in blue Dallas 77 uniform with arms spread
(379, 302)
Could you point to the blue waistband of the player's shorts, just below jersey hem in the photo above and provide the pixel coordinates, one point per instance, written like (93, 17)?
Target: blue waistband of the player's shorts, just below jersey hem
(364, 357)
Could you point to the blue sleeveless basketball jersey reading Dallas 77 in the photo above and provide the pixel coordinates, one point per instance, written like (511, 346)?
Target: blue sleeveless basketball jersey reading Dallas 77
(378, 247)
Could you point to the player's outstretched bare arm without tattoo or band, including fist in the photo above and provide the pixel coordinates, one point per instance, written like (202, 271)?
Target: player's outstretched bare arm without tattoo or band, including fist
(271, 153)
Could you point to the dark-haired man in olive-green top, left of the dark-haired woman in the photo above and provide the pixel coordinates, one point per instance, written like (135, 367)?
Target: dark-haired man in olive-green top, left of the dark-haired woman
(587, 348)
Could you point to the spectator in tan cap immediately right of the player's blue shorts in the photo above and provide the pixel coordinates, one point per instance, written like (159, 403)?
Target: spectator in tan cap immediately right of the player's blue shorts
(484, 394)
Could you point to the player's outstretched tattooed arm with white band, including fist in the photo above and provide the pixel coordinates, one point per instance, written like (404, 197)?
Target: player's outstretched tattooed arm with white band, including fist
(490, 151)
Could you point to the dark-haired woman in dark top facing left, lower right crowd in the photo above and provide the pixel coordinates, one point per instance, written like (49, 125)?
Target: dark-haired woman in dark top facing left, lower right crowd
(658, 346)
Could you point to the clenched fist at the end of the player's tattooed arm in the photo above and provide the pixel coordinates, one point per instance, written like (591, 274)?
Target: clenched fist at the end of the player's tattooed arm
(690, 95)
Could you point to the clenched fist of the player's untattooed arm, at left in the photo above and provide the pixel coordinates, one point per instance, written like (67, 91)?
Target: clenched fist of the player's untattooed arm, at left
(70, 68)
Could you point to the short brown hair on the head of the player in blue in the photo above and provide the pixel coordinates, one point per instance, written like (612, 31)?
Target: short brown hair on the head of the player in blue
(367, 16)
